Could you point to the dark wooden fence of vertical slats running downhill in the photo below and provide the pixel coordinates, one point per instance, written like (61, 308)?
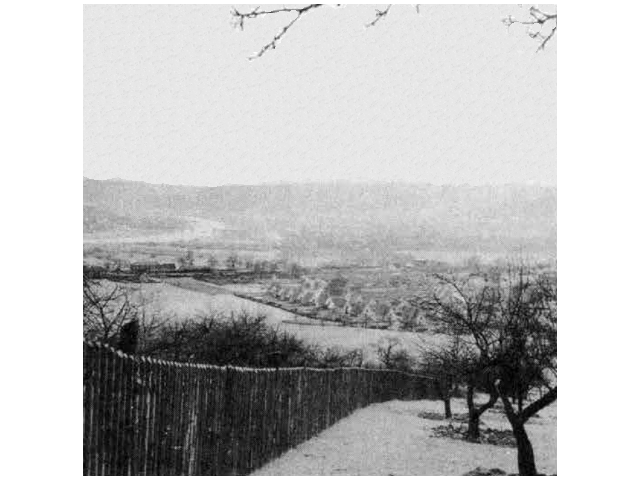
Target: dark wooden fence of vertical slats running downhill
(145, 416)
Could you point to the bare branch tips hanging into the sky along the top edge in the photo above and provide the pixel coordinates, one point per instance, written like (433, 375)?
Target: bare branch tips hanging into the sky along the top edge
(537, 18)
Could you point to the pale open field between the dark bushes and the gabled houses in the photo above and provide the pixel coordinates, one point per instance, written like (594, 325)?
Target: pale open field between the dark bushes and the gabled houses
(193, 298)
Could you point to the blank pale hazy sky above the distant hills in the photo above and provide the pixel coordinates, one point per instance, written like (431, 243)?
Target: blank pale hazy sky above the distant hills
(447, 96)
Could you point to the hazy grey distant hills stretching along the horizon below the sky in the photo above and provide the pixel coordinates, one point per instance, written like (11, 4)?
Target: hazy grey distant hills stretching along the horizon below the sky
(342, 216)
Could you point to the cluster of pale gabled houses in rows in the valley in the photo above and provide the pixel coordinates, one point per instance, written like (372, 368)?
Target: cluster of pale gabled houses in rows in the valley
(348, 305)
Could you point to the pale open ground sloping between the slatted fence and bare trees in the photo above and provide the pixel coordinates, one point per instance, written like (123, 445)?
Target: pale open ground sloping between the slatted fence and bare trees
(390, 439)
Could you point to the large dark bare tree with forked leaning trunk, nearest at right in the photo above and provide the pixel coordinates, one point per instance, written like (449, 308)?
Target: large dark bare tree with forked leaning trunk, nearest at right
(508, 328)
